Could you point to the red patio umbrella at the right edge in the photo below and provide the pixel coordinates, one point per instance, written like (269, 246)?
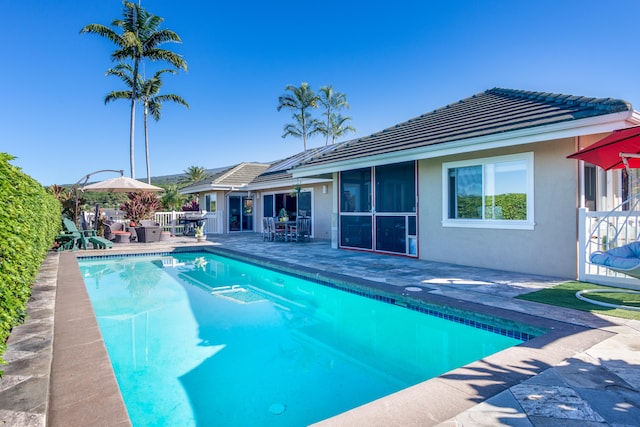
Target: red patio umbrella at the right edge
(610, 152)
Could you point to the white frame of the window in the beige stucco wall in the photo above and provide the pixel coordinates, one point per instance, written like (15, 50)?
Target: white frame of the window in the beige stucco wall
(527, 224)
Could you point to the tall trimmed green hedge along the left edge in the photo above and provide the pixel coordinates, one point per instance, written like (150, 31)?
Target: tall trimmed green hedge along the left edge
(29, 221)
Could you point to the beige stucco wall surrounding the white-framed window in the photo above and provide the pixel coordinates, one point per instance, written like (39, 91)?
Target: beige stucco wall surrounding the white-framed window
(548, 249)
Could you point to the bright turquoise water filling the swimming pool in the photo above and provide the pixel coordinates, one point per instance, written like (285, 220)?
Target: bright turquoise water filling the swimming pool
(197, 339)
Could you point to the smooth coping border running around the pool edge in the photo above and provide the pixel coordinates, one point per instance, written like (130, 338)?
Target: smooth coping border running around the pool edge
(83, 389)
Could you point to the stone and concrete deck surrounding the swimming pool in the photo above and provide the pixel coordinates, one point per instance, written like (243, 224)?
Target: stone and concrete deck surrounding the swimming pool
(585, 371)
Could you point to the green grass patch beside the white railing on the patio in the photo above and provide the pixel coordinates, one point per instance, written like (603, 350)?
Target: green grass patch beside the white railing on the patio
(564, 295)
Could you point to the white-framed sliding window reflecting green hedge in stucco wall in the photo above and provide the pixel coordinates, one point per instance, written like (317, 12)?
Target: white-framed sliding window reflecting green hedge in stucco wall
(493, 192)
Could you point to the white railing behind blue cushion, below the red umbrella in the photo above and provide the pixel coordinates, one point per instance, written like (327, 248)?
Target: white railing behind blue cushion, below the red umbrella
(601, 231)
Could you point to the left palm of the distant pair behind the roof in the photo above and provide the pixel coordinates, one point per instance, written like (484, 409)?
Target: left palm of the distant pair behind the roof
(300, 100)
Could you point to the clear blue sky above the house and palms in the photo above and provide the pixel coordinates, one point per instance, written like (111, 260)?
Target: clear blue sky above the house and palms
(394, 60)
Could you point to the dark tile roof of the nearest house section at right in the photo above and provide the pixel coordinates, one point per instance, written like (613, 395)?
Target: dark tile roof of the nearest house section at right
(493, 111)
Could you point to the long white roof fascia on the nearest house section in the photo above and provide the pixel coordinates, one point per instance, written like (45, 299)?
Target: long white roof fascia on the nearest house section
(591, 125)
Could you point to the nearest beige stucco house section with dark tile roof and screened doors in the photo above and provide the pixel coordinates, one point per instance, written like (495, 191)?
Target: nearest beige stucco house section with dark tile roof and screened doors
(481, 182)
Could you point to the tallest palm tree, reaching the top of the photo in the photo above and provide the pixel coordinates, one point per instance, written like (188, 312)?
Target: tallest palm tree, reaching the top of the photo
(140, 38)
